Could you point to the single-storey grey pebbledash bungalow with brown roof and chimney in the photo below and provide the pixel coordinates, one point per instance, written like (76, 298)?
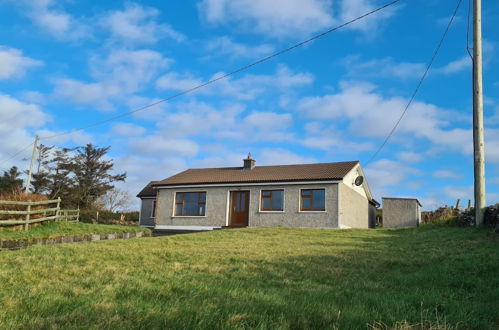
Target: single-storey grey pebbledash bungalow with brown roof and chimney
(323, 195)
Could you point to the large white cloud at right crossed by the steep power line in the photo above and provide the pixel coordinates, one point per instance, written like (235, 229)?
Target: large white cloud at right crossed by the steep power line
(367, 113)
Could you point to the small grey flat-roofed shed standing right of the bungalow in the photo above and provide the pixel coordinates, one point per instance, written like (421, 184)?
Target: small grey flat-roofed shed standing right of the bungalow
(401, 212)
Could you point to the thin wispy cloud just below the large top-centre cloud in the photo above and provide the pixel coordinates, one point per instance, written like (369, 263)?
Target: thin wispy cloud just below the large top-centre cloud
(226, 46)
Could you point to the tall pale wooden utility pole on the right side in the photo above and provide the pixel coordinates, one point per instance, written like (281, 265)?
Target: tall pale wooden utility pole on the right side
(478, 140)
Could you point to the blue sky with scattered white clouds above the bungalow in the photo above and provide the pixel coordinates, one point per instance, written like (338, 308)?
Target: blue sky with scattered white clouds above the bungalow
(67, 64)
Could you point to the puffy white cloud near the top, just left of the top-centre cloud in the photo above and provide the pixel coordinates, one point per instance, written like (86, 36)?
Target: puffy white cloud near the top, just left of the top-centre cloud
(137, 24)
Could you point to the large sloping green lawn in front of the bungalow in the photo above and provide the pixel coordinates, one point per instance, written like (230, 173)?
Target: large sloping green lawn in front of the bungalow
(258, 278)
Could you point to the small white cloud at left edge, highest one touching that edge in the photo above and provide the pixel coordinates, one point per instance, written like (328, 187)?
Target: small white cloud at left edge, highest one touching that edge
(14, 64)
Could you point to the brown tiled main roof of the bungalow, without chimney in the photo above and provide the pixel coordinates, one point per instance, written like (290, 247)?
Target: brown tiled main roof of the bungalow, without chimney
(260, 174)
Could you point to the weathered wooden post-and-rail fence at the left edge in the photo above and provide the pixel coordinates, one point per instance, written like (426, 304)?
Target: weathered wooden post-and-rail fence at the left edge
(34, 212)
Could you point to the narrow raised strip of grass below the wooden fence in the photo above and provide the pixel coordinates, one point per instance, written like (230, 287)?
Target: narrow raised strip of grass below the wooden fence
(55, 229)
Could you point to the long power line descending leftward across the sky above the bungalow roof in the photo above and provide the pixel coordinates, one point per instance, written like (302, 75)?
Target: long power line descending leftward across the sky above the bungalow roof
(209, 82)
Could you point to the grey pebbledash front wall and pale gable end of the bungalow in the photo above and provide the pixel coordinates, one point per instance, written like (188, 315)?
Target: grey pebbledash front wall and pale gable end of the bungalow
(352, 207)
